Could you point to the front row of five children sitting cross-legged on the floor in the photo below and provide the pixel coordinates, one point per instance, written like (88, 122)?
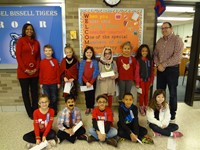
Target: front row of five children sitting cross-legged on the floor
(158, 117)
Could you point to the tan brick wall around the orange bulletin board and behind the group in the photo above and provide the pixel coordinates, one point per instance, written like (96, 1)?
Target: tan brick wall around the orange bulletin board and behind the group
(10, 91)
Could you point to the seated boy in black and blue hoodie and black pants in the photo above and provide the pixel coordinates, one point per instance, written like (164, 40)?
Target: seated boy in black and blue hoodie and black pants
(128, 125)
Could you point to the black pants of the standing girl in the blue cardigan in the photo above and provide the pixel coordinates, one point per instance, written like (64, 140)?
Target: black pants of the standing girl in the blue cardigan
(90, 97)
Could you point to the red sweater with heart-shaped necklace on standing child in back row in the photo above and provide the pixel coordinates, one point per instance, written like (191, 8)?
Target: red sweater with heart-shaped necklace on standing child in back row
(124, 74)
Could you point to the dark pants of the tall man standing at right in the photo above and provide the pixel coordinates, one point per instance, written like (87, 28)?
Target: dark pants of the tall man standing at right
(169, 78)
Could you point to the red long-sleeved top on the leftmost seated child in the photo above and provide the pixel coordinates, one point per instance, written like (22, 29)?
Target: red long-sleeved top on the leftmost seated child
(42, 122)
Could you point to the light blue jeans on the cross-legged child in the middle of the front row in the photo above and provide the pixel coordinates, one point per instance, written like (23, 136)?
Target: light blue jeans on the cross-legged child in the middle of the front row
(111, 133)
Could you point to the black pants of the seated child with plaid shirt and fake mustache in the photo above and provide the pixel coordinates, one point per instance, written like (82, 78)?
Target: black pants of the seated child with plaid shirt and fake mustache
(62, 135)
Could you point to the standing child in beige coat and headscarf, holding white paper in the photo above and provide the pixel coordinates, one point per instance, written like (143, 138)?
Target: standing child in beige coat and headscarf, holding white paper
(106, 85)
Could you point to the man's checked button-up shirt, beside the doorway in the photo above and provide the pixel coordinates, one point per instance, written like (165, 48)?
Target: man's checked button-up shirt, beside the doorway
(168, 51)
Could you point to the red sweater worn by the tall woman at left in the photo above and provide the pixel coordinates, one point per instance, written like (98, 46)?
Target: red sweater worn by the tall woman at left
(27, 54)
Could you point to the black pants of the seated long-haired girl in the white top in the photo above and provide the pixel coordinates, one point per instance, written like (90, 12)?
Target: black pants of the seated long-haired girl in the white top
(166, 131)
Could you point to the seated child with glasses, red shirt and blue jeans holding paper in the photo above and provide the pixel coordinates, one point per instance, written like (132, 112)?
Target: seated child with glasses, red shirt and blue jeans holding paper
(102, 119)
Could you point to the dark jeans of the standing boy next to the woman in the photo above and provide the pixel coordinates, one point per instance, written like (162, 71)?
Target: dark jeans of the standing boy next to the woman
(52, 91)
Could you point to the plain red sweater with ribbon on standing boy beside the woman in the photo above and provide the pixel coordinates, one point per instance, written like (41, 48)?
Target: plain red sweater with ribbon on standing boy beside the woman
(49, 71)
